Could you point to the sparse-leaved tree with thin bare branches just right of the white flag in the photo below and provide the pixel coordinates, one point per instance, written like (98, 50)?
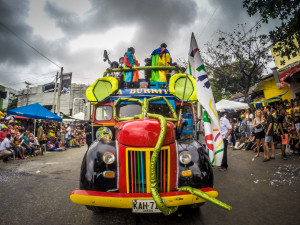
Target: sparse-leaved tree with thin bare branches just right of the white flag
(238, 60)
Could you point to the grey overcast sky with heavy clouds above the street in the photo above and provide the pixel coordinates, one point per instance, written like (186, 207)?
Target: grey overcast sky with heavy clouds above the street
(74, 33)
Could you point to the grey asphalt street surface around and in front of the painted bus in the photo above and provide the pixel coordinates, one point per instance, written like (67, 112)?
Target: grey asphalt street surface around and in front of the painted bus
(36, 191)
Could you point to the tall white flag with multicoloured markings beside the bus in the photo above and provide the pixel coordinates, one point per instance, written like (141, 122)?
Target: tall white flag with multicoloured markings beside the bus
(213, 137)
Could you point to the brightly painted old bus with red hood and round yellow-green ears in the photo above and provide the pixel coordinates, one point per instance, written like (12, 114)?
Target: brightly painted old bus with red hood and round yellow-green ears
(145, 155)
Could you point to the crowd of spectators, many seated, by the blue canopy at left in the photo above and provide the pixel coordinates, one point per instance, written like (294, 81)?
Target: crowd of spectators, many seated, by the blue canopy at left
(19, 139)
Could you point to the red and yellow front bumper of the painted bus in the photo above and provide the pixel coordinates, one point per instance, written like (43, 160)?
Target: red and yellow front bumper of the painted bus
(124, 200)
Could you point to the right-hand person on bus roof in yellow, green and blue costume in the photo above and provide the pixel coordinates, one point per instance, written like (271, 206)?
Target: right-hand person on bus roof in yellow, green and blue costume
(160, 57)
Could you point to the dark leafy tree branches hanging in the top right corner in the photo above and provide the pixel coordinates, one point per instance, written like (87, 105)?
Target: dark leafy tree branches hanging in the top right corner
(288, 12)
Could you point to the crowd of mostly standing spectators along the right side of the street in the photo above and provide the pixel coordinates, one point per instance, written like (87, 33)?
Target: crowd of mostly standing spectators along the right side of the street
(264, 129)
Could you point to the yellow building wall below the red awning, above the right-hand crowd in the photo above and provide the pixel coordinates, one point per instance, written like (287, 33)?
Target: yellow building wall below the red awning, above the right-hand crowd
(270, 90)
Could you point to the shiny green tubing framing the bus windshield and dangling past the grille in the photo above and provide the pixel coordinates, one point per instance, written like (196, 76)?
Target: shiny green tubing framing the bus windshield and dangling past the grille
(154, 158)
